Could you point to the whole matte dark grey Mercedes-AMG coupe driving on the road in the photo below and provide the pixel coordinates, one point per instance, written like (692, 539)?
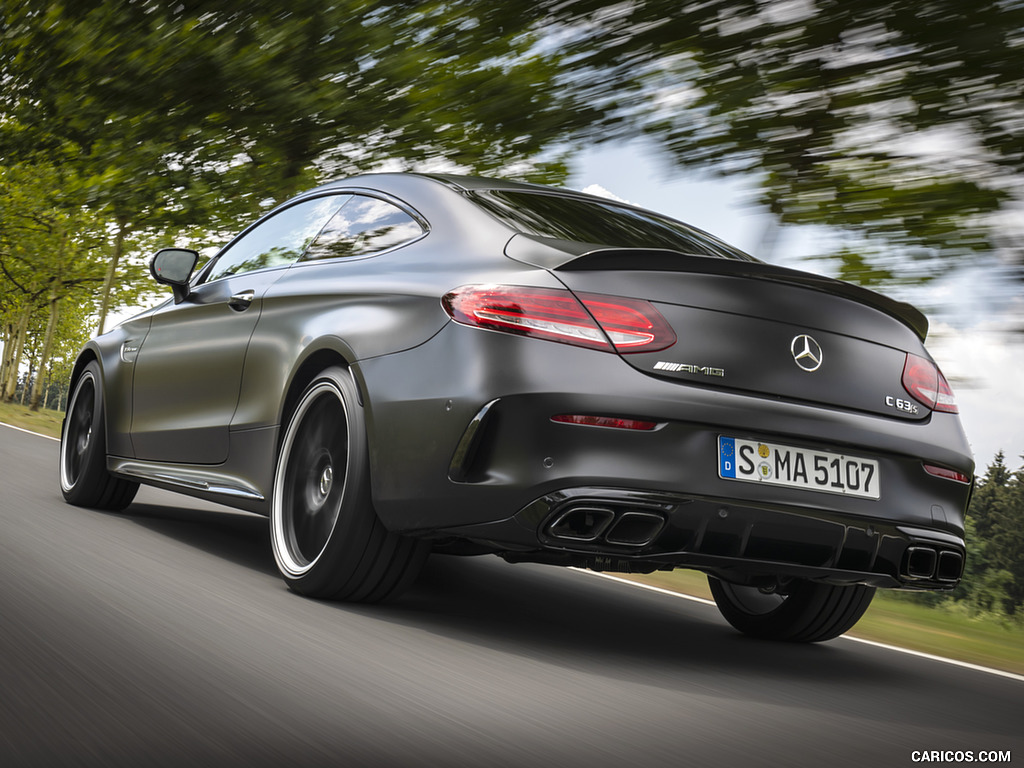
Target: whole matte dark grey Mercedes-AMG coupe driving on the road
(398, 364)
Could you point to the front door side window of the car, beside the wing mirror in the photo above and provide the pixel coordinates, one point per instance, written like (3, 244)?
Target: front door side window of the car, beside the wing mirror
(280, 240)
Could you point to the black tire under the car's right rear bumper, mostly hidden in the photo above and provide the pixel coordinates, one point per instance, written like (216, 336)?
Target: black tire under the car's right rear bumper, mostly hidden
(809, 613)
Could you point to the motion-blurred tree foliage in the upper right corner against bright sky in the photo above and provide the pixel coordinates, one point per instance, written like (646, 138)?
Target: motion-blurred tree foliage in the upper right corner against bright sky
(902, 123)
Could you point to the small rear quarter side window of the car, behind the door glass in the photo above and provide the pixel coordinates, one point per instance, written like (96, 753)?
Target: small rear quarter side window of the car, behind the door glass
(363, 227)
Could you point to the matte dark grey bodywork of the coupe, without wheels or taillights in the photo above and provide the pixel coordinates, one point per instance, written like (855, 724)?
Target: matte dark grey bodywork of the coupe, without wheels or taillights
(462, 448)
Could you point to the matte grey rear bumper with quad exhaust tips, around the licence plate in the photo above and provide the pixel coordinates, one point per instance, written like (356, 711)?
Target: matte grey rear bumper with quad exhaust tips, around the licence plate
(468, 451)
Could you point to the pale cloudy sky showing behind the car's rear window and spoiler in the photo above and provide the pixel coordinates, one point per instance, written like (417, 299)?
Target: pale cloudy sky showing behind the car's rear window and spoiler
(985, 365)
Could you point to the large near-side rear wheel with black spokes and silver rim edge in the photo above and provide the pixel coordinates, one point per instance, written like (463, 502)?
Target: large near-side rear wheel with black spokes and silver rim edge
(328, 541)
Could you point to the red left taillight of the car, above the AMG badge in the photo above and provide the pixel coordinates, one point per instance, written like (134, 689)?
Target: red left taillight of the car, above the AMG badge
(588, 321)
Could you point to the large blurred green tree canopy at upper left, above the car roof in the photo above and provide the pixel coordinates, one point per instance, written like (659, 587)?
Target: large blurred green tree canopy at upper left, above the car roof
(191, 112)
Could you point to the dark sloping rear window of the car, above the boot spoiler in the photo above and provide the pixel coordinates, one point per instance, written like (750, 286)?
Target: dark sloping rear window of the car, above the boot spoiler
(600, 223)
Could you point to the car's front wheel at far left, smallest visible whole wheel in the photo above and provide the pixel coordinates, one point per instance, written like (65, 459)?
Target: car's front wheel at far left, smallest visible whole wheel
(84, 480)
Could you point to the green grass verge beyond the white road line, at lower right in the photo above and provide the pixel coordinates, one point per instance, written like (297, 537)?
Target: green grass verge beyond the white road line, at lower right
(895, 621)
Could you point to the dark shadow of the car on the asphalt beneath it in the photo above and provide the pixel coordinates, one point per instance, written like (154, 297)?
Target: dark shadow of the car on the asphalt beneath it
(573, 621)
